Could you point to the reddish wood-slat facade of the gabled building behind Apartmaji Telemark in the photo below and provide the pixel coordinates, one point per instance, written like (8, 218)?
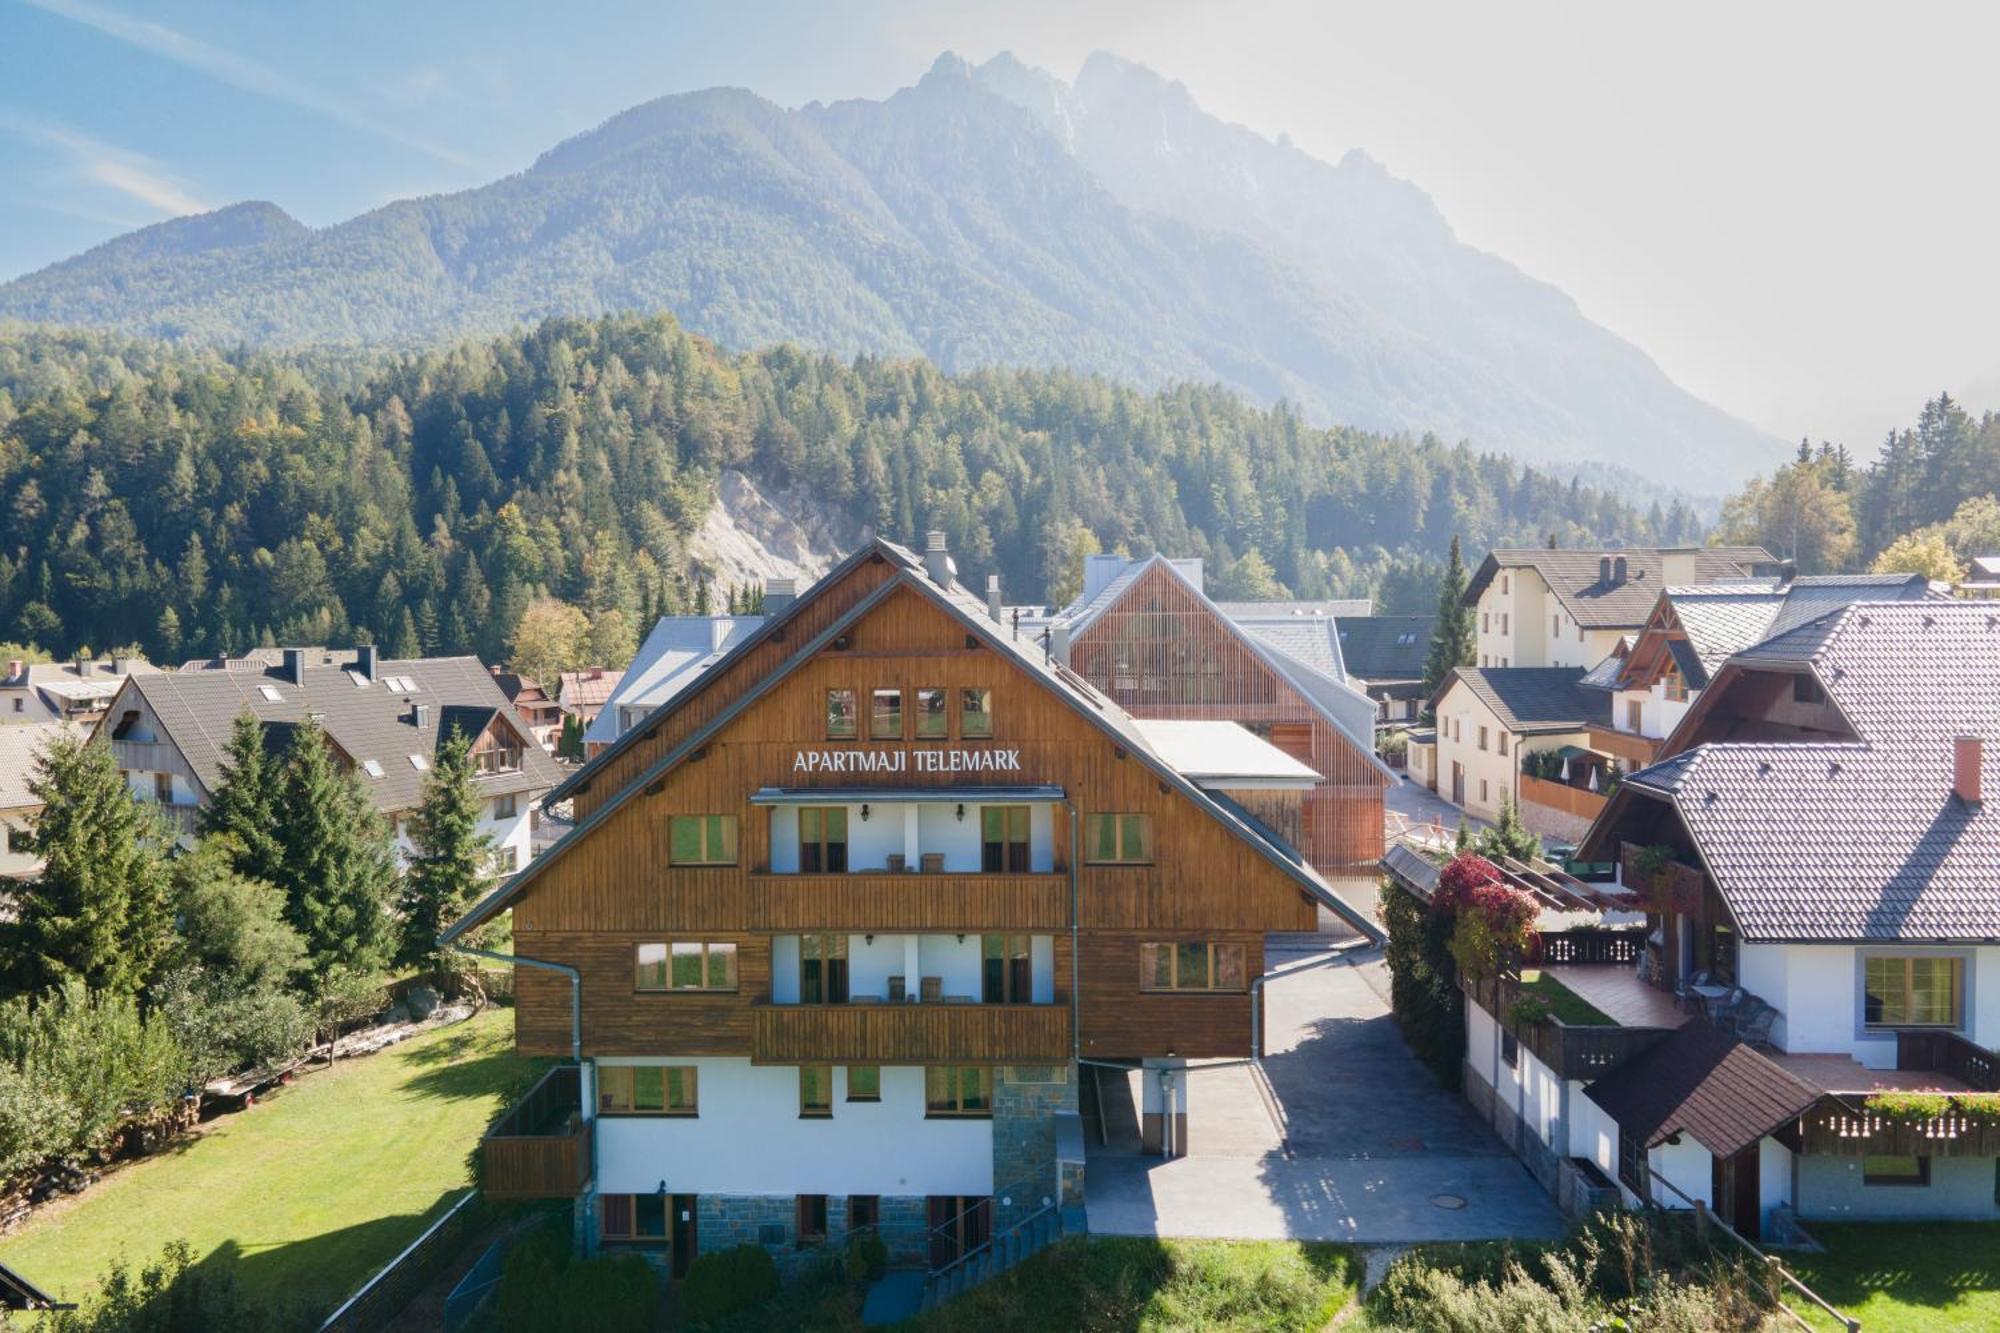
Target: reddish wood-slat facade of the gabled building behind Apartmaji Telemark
(1161, 653)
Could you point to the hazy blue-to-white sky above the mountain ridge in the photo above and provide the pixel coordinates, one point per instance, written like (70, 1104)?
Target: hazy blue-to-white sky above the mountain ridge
(1787, 205)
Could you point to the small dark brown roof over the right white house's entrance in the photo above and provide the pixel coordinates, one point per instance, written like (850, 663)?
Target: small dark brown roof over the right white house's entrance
(1705, 1084)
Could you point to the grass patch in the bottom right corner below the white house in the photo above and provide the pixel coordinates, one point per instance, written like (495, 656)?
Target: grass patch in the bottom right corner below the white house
(1907, 1278)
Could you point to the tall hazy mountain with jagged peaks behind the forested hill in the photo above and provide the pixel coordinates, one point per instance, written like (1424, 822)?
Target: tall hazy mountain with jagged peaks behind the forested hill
(983, 217)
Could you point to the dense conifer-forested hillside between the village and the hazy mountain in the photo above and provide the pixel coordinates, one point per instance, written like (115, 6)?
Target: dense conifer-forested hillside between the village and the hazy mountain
(195, 501)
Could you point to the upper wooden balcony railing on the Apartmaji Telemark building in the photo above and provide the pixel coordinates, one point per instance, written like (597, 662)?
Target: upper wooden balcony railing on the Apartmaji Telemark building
(909, 902)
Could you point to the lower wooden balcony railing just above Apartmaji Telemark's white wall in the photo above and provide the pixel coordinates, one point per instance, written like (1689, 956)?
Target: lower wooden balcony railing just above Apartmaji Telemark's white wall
(911, 1034)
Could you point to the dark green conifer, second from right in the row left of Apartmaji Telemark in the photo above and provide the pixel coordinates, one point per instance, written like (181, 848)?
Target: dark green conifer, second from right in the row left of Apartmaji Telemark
(339, 862)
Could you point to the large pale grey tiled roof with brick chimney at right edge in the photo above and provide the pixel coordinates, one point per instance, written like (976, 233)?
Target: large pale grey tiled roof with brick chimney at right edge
(1859, 840)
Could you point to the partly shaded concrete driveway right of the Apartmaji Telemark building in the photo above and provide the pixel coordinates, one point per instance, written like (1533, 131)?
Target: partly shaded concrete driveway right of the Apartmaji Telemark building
(1339, 1138)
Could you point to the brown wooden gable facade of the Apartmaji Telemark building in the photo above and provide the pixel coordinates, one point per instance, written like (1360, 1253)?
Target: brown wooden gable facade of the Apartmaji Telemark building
(615, 888)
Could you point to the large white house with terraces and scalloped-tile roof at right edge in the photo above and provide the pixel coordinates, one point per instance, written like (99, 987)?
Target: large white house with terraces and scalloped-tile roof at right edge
(1817, 864)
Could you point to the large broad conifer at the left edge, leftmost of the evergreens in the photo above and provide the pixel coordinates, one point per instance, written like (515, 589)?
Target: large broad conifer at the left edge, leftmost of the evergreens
(101, 908)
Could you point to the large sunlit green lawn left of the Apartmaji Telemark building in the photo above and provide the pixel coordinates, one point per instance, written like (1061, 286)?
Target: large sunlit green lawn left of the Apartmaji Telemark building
(313, 1190)
